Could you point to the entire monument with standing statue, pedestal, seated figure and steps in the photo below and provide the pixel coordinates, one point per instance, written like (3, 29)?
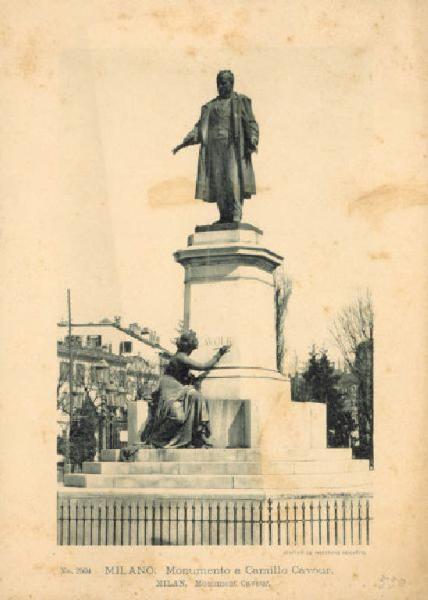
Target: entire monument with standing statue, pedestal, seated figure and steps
(236, 428)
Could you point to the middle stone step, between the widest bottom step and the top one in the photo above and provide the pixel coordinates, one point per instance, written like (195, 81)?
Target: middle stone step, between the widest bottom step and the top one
(224, 468)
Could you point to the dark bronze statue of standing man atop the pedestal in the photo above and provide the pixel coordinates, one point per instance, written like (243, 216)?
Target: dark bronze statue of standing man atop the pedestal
(228, 134)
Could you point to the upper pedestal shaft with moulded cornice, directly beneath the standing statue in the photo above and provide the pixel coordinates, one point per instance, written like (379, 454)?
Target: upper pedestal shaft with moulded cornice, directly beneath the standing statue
(229, 294)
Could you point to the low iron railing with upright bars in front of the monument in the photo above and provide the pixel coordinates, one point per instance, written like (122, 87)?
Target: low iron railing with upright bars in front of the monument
(308, 521)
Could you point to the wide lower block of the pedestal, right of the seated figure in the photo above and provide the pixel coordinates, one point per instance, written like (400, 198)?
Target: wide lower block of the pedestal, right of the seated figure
(259, 413)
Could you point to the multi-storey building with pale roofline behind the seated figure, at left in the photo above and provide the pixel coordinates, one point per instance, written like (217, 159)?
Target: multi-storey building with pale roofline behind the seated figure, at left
(111, 365)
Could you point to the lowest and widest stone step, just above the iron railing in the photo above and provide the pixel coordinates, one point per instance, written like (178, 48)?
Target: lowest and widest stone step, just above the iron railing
(283, 482)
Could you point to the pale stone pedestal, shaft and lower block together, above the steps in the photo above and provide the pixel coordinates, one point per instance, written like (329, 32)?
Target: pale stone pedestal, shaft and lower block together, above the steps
(229, 299)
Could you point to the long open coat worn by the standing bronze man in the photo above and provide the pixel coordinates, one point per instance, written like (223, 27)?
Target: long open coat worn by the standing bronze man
(245, 136)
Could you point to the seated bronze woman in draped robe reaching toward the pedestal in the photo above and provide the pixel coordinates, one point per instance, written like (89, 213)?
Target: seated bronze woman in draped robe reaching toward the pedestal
(179, 416)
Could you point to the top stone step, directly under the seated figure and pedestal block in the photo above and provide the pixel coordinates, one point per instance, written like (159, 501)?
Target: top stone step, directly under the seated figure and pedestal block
(228, 454)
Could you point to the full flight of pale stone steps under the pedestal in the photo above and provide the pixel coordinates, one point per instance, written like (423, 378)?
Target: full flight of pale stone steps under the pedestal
(240, 469)
